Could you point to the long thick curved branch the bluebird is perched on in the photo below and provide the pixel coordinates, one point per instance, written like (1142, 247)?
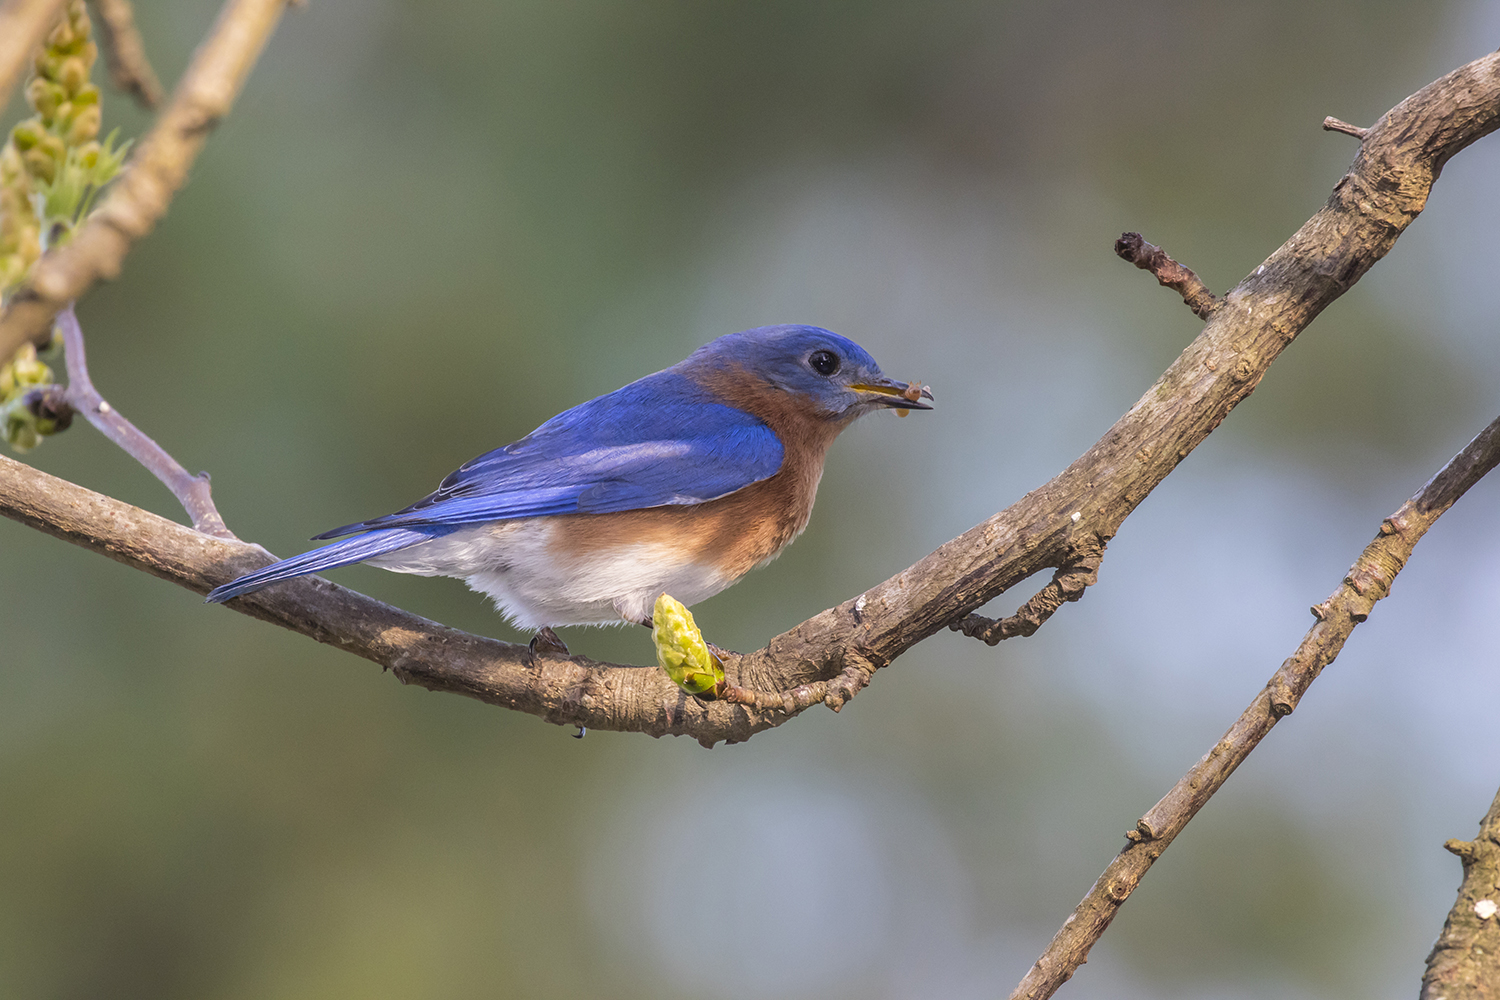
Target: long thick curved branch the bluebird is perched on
(838, 651)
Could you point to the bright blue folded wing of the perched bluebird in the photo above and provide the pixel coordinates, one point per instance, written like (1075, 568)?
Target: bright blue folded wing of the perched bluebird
(655, 443)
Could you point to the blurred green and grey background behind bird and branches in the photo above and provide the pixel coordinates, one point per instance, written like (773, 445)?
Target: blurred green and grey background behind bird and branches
(428, 227)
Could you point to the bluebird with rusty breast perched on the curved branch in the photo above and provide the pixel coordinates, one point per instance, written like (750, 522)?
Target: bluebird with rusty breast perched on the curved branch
(679, 484)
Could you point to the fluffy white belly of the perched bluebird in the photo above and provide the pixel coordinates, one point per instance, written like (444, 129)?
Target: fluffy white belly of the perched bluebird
(535, 584)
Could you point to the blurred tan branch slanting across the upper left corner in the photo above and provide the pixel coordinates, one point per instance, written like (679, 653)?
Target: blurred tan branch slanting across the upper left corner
(157, 170)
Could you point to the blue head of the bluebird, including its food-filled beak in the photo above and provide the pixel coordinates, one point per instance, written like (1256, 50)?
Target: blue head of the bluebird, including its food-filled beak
(833, 374)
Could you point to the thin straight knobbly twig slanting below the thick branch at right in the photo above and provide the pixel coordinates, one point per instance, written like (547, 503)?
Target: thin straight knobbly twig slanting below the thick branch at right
(1367, 582)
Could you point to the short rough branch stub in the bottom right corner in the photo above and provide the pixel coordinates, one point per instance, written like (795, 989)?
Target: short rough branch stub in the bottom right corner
(1466, 960)
